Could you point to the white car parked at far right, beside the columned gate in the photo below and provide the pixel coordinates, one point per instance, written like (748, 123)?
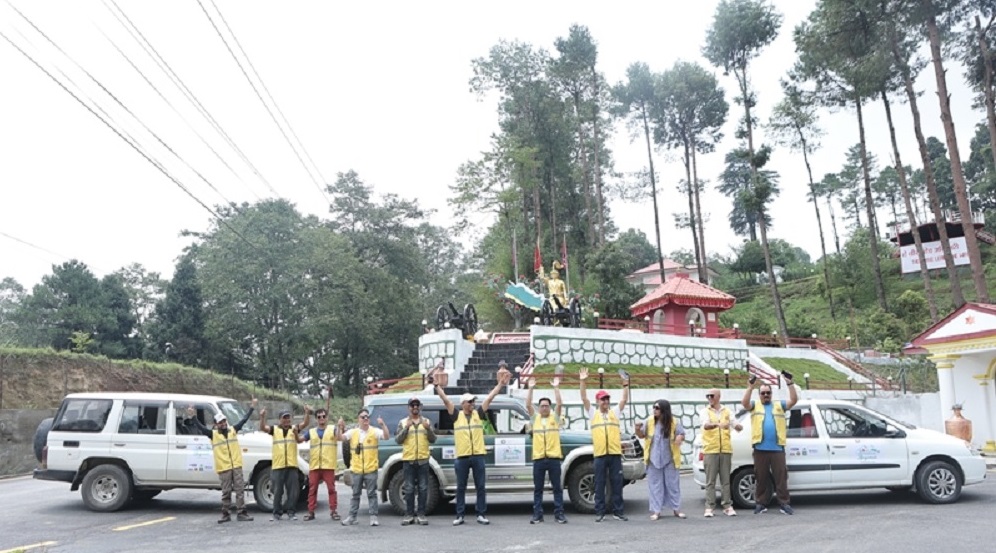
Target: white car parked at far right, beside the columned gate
(839, 445)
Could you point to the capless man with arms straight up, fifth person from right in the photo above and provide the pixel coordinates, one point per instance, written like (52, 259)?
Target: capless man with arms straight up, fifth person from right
(547, 455)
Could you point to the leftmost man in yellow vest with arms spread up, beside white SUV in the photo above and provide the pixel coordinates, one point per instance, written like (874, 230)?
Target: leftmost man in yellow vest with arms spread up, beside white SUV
(227, 459)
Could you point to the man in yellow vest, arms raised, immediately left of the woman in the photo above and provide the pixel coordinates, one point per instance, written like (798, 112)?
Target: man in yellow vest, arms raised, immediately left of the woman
(606, 435)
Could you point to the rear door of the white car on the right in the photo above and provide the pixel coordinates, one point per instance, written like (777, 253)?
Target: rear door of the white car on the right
(807, 455)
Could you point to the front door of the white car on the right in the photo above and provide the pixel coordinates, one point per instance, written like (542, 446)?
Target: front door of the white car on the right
(865, 450)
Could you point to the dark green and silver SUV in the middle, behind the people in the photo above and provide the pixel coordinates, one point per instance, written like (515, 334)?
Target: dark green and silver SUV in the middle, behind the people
(509, 454)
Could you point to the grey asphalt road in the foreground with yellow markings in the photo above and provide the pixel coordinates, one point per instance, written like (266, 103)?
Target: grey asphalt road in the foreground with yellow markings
(35, 512)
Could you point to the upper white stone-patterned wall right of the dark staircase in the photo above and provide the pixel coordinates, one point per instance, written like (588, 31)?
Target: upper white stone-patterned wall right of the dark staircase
(554, 345)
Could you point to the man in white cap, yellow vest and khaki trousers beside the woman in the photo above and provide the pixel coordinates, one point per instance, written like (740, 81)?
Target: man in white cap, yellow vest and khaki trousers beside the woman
(717, 451)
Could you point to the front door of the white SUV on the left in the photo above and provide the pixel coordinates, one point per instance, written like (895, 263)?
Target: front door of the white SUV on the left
(189, 457)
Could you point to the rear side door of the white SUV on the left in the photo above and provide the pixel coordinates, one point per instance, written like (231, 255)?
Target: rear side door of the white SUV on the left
(141, 438)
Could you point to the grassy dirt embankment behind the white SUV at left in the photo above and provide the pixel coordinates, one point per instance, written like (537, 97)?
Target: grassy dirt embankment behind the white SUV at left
(39, 379)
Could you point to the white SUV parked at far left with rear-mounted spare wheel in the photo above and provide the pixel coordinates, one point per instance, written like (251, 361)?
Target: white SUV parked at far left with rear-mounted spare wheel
(121, 447)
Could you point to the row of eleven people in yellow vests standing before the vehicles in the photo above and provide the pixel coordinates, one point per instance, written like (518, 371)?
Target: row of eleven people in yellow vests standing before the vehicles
(662, 433)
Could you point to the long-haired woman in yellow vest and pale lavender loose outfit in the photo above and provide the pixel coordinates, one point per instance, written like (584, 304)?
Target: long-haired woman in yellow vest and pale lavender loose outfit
(662, 454)
